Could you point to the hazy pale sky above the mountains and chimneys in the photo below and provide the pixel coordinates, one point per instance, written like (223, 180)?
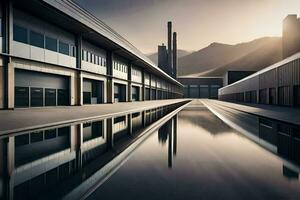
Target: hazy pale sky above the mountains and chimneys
(198, 22)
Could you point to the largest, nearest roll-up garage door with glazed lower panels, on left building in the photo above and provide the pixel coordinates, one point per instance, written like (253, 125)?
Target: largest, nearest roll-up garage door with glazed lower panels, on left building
(38, 89)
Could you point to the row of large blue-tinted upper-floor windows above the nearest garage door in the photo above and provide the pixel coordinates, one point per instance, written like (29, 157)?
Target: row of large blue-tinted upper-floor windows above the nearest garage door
(21, 34)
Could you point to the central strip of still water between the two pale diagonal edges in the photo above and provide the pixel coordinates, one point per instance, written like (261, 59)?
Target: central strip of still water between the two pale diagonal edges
(204, 159)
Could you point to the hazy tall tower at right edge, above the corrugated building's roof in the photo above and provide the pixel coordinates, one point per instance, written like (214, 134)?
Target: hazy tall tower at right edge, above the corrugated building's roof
(291, 35)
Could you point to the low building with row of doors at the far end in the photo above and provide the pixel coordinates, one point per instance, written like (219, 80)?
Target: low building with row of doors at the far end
(201, 87)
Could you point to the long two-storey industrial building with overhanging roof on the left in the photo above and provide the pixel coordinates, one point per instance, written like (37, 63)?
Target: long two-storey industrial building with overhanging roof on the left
(54, 53)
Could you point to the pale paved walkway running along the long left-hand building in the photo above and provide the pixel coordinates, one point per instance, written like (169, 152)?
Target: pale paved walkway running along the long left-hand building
(20, 120)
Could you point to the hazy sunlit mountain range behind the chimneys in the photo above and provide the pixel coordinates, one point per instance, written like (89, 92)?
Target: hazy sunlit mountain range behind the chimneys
(217, 58)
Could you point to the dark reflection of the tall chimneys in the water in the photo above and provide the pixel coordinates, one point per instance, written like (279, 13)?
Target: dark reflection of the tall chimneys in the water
(168, 132)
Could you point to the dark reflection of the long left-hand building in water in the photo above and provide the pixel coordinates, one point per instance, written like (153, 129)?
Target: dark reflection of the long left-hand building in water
(43, 163)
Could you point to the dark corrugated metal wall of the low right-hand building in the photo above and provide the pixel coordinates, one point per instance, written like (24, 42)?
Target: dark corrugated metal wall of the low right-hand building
(279, 86)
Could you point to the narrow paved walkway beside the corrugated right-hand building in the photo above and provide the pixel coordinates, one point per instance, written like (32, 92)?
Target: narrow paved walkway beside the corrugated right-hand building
(285, 114)
